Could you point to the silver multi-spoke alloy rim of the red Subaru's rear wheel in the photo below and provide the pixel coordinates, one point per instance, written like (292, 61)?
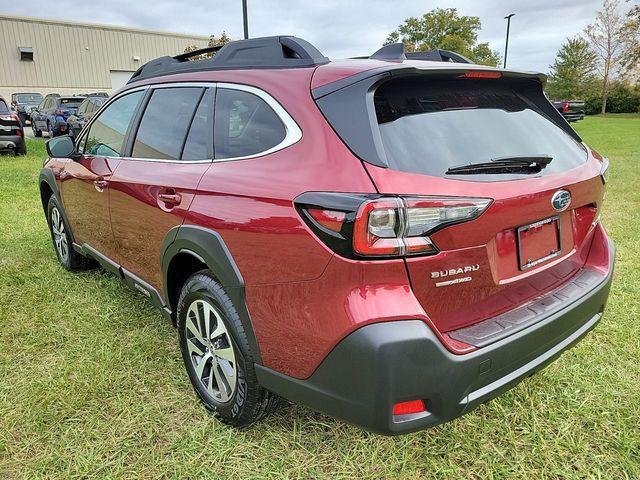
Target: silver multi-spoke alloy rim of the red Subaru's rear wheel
(210, 349)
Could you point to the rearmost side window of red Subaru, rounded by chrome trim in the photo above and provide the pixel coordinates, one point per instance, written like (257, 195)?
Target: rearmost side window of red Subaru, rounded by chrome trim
(244, 125)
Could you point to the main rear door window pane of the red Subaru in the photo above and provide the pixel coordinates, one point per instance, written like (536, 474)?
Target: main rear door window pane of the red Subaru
(165, 123)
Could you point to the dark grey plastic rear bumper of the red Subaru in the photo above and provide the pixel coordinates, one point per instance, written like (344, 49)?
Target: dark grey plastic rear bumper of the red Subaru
(382, 364)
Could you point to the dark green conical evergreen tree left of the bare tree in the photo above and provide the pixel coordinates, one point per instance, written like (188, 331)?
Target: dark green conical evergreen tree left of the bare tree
(573, 70)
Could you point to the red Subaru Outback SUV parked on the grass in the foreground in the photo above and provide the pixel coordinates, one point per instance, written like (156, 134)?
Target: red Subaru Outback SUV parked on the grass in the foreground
(391, 240)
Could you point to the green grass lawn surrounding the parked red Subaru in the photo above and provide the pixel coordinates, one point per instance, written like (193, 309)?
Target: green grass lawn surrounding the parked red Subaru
(92, 383)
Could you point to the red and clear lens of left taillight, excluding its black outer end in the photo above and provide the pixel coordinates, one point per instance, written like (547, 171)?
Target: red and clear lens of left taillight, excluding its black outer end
(400, 226)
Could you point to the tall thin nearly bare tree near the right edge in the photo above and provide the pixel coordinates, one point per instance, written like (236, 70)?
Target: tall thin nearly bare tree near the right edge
(607, 38)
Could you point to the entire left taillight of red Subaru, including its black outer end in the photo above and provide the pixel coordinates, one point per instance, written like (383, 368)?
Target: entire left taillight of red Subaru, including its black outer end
(359, 226)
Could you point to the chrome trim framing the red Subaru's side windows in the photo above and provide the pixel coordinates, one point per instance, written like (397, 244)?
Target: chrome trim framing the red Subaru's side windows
(293, 133)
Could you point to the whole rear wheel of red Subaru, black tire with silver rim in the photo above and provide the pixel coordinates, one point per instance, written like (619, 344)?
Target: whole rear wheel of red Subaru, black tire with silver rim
(240, 402)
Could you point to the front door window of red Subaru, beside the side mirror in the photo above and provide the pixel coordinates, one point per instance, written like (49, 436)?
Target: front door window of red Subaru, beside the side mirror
(107, 133)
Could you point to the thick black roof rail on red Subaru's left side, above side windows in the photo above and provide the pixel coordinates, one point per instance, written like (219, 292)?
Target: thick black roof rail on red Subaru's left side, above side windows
(264, 52)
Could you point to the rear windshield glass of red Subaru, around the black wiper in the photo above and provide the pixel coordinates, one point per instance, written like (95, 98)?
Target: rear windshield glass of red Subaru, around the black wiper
(429, 126)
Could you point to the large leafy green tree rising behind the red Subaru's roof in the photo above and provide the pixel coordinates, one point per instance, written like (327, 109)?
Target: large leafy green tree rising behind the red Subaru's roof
(444, 28)
